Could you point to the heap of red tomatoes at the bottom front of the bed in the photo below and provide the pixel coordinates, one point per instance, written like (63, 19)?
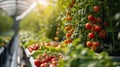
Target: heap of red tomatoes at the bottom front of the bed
(47, 61)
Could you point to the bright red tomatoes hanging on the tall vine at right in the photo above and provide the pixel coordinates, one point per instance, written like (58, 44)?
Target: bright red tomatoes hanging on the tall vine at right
(95, 25)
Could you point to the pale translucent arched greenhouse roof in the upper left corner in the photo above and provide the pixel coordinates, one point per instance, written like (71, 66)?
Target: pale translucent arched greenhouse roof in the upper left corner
(15, 7)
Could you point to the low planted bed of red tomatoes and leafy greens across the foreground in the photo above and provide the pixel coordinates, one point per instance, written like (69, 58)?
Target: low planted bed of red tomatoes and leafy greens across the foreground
(58, 54)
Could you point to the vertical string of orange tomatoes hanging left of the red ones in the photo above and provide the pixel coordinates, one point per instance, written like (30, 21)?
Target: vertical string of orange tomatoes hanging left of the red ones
(69, 27)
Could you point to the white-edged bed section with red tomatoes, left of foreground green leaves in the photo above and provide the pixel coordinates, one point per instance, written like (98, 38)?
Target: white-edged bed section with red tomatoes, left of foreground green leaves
(45, 53)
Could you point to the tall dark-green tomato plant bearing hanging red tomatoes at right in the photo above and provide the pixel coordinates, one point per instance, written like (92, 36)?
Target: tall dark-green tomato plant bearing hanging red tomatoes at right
(94, 16)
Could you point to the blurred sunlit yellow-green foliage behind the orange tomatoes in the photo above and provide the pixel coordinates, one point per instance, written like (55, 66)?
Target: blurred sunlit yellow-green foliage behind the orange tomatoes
(43, 21)
